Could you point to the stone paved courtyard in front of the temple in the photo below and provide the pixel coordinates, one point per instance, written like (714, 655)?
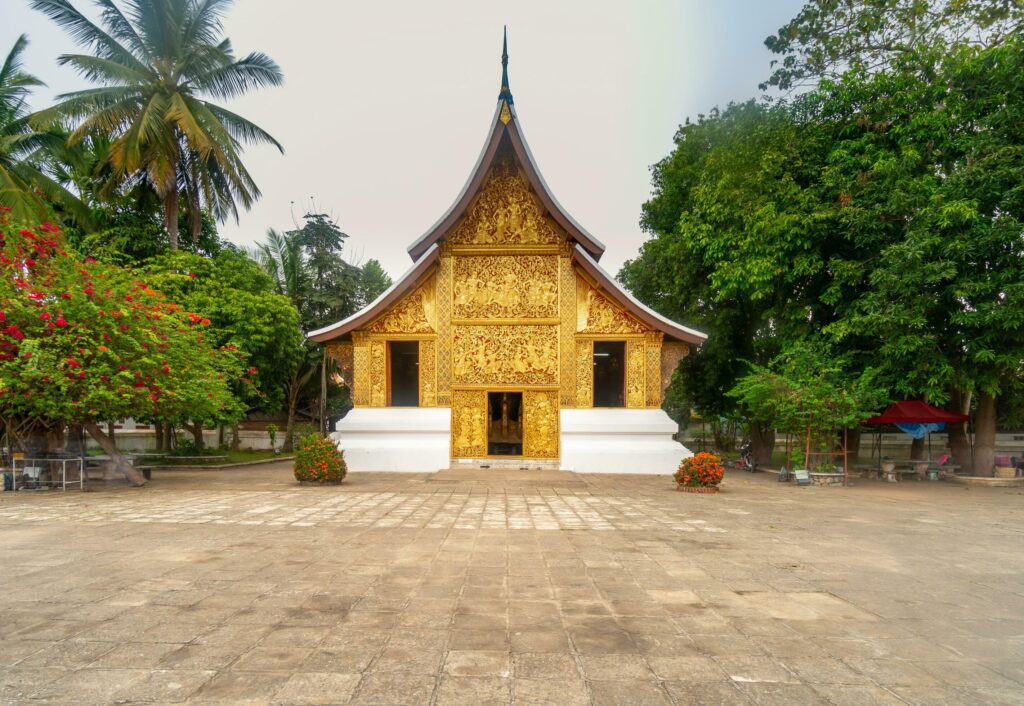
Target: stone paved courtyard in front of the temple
(494, 588)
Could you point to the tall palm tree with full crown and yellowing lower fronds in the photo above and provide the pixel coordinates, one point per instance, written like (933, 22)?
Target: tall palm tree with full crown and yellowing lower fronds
(156, 64)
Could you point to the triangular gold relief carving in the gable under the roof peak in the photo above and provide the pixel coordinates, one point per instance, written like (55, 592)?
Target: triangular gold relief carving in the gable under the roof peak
(505, 213)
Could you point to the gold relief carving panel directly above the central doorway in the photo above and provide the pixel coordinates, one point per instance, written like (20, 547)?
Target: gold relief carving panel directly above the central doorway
(505, 355)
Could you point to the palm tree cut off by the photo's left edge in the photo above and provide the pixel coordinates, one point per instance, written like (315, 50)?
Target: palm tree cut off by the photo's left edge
(25, 184)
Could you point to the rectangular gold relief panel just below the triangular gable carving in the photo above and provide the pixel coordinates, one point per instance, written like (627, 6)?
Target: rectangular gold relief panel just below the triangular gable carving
(505, 287)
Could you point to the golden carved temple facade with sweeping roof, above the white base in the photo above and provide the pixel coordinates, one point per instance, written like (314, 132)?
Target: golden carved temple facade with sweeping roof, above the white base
(500, 316)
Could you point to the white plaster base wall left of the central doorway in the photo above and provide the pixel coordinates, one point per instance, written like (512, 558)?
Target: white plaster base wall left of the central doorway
(400, 439)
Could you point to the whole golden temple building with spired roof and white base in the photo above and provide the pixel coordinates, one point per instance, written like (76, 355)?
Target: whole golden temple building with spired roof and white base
(507, 341)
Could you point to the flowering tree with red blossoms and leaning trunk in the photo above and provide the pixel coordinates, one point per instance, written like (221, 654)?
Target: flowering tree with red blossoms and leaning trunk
(83, 343)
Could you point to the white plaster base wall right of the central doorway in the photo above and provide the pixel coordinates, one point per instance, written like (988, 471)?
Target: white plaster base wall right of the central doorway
(620, 441)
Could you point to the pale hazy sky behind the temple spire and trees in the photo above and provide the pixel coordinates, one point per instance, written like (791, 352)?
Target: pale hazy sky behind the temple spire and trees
(387, 105)
